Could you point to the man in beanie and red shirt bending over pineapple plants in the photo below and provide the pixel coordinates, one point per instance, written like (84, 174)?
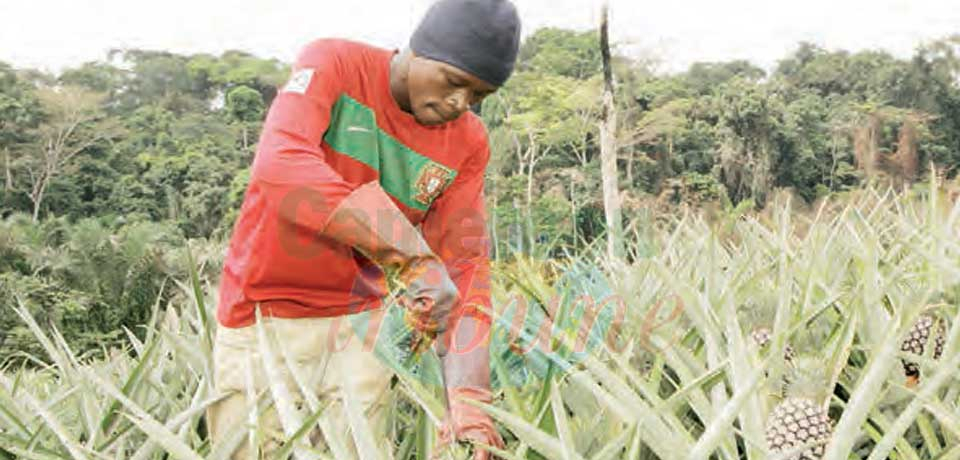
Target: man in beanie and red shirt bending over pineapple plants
(369, 163)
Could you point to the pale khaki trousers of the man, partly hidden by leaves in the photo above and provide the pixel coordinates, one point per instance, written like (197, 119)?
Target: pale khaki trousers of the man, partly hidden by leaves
(330, 359)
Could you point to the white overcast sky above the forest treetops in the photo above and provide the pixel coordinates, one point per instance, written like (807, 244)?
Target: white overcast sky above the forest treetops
(53, 34)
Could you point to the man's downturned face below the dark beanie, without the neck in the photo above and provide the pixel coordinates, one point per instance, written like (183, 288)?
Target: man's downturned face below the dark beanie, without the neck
(440, 92)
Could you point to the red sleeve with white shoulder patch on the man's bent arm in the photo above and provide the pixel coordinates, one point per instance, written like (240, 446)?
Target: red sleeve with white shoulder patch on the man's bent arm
(289, 166)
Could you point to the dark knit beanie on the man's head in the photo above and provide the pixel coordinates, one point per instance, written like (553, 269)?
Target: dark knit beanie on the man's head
(481, 37)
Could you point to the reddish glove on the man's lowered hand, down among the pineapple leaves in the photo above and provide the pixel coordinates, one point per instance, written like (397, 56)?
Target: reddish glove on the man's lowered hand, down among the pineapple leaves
(465, 422)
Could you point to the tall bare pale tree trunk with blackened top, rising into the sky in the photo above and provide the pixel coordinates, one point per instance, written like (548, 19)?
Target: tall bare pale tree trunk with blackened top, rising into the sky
(608, 146)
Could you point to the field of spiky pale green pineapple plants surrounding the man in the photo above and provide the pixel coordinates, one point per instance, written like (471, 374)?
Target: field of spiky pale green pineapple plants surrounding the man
(826, 333)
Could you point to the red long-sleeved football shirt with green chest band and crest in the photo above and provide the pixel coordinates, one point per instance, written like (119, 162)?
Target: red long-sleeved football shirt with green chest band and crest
(333, 127)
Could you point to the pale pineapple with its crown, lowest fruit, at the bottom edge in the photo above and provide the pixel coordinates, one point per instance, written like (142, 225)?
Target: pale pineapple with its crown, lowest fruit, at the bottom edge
(799, 424)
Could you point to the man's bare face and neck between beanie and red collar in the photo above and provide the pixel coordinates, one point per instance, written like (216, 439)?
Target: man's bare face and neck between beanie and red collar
(434, 92)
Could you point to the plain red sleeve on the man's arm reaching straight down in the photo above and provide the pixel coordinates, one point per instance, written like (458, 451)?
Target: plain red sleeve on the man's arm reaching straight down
(455, 228)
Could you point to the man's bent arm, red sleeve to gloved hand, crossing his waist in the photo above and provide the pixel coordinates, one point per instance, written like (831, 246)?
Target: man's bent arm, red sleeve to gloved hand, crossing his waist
(309, 198)
